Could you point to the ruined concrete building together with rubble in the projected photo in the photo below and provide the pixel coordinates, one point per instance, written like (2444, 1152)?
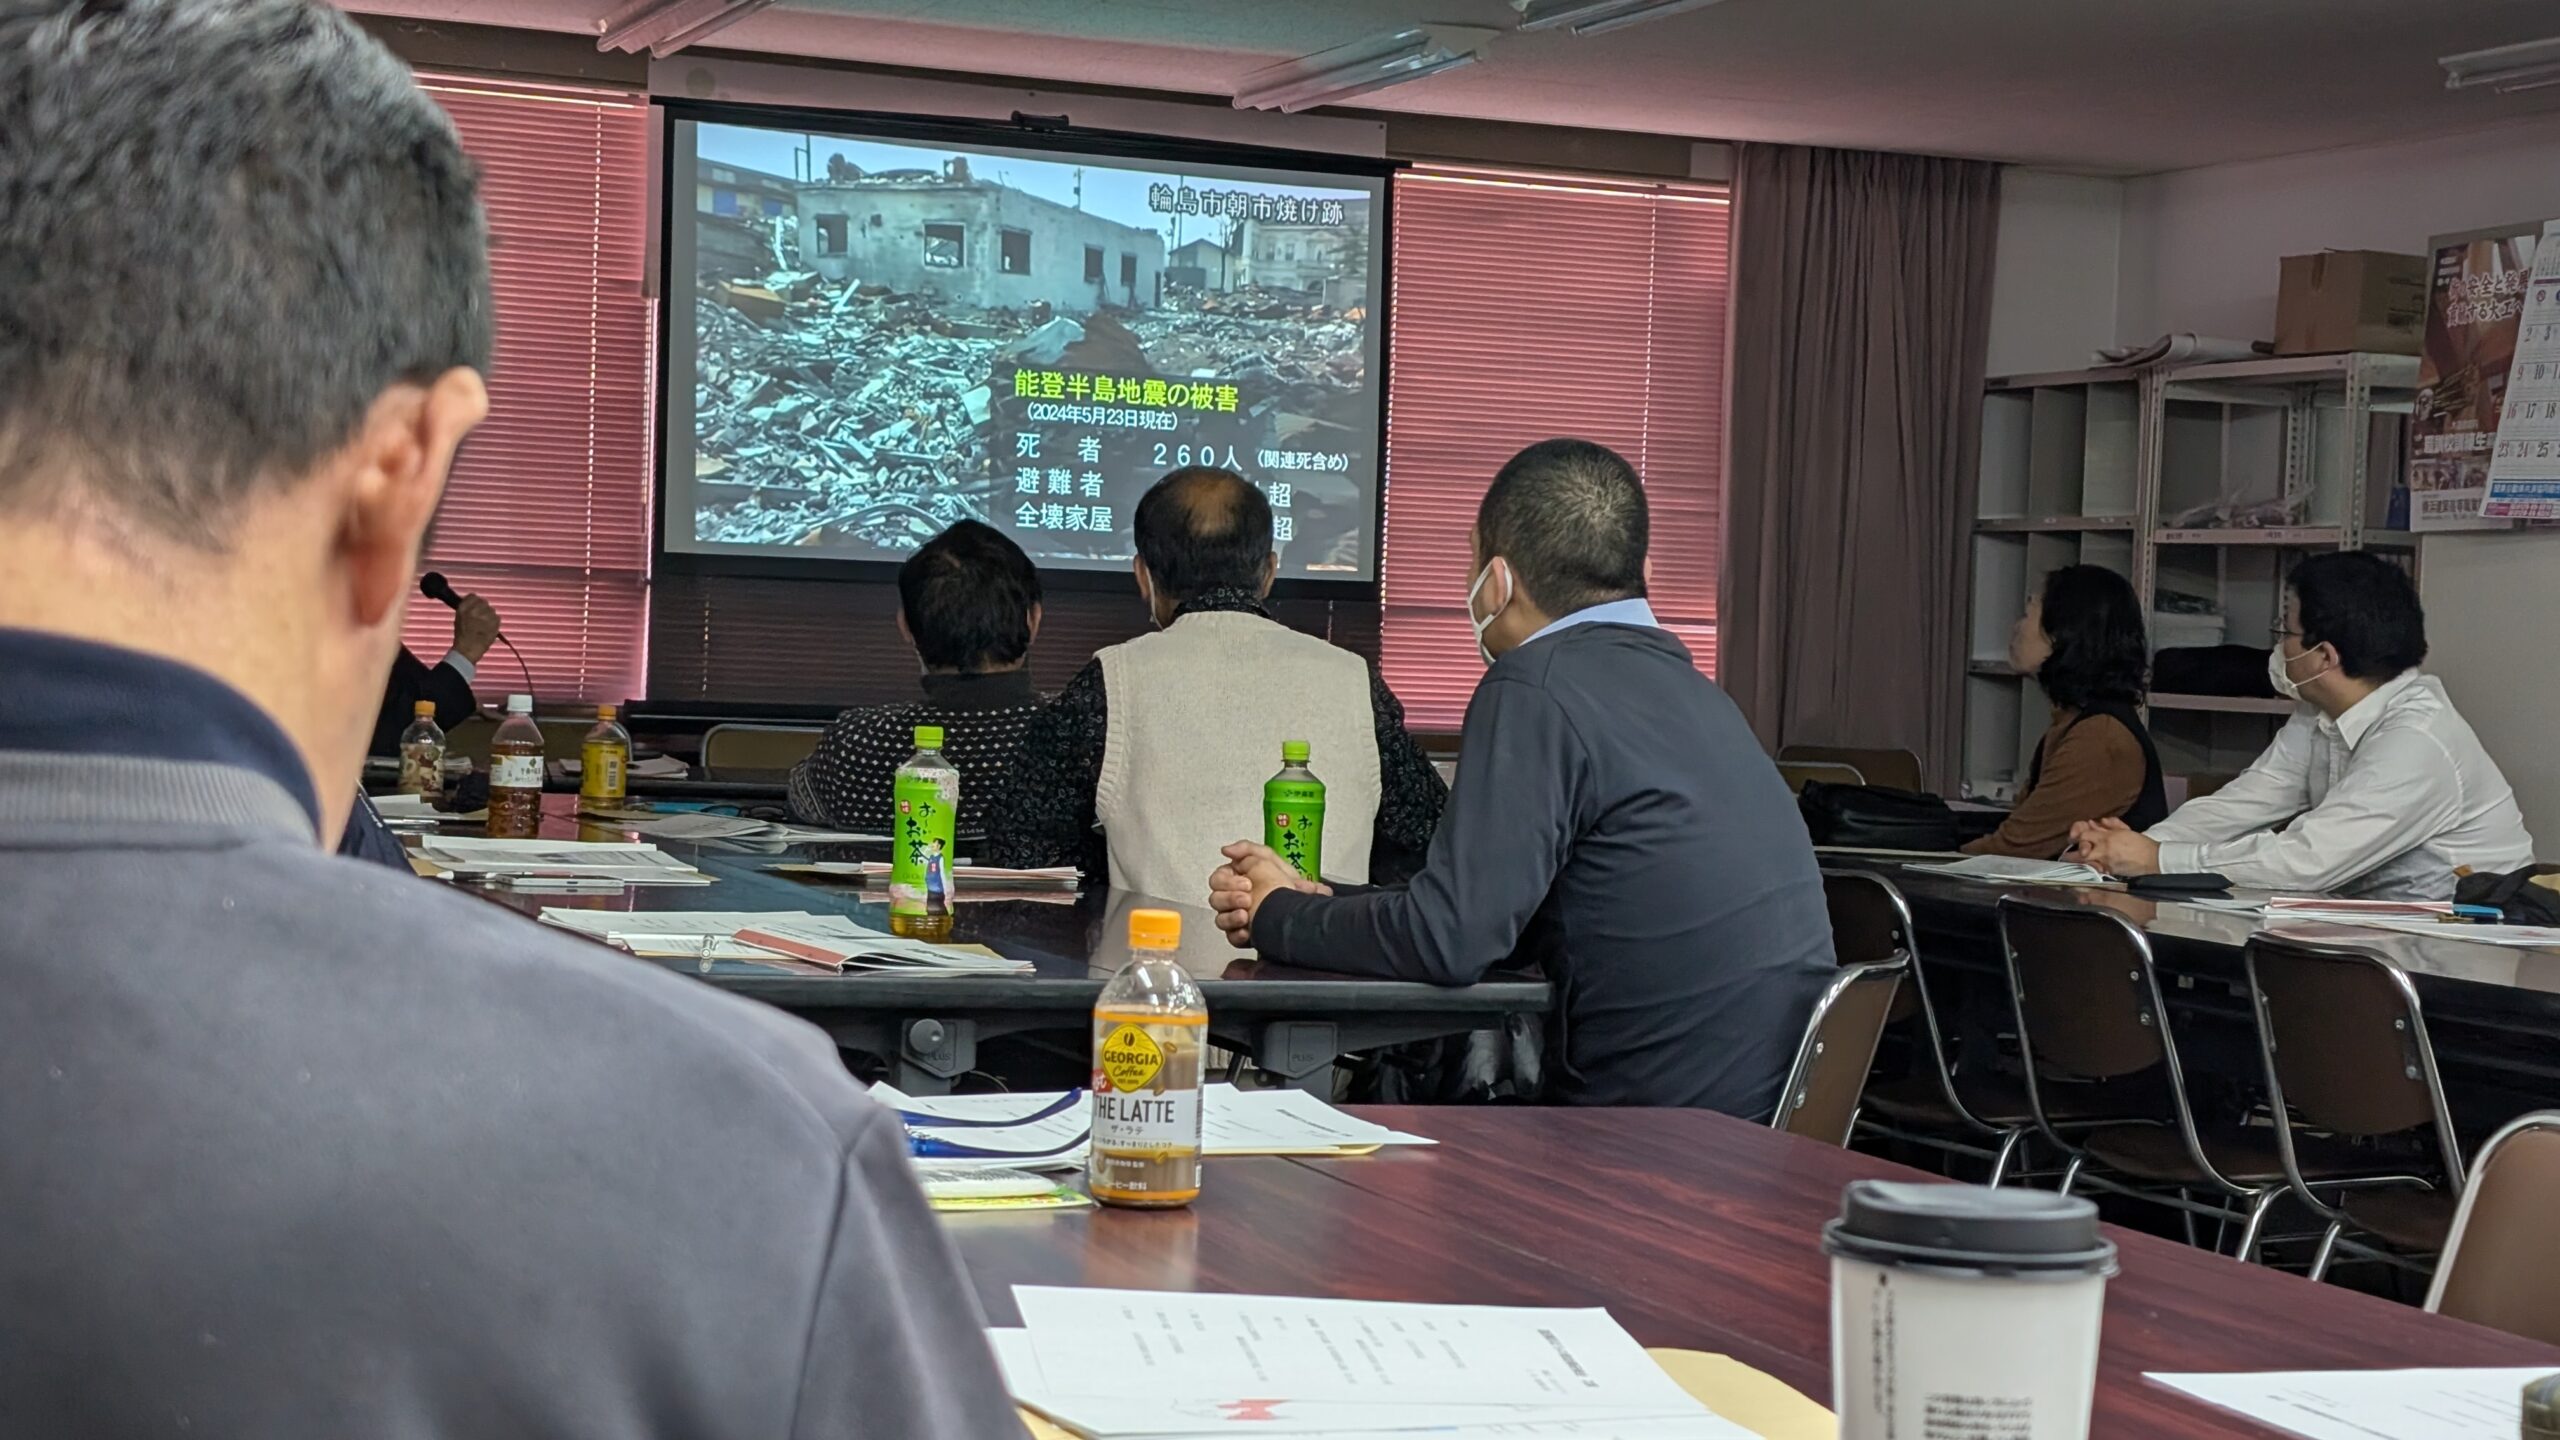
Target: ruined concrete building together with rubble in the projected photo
(856, 380)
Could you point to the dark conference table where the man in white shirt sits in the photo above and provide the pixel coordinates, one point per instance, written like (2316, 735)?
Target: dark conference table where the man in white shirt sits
(2492, 1011)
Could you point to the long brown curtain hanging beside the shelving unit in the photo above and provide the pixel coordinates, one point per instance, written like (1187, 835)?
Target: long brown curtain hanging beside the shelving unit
(1862, 296)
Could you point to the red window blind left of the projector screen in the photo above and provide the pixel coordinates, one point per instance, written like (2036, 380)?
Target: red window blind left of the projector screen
(549, 501)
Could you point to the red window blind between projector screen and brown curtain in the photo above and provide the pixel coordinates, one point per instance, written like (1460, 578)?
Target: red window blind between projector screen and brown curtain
(1532, 309)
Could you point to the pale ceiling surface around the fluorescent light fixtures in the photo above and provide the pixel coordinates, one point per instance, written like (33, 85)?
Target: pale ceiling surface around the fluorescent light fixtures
(2093, 86)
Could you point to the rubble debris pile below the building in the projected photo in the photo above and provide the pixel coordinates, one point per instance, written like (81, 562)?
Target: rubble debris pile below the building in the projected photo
(856, 419)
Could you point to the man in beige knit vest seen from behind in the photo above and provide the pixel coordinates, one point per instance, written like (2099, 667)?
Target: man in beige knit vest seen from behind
(1156, 755)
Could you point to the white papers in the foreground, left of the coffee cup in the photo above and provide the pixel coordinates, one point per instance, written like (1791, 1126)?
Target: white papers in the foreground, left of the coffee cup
(1176, 1367)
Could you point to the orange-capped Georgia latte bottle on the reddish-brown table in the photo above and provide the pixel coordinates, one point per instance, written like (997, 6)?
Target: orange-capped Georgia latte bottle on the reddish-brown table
(1151, 1036)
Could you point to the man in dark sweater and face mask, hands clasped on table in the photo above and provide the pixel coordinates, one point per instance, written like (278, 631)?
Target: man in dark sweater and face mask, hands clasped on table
(1614, 821)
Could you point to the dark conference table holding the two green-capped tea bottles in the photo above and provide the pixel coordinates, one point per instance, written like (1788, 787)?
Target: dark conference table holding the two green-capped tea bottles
(1294, 1024)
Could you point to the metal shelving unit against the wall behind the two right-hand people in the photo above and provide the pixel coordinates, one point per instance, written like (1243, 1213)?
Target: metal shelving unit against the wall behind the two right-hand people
(2203, 486)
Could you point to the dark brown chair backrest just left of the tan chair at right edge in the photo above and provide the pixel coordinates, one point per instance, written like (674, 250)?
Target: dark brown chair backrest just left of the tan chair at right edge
(2346, 1044)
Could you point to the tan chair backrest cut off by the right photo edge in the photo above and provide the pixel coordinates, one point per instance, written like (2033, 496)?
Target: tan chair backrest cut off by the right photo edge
(2502, 1262)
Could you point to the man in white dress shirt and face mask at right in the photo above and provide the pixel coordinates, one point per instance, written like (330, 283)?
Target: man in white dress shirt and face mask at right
(2374, 788)
